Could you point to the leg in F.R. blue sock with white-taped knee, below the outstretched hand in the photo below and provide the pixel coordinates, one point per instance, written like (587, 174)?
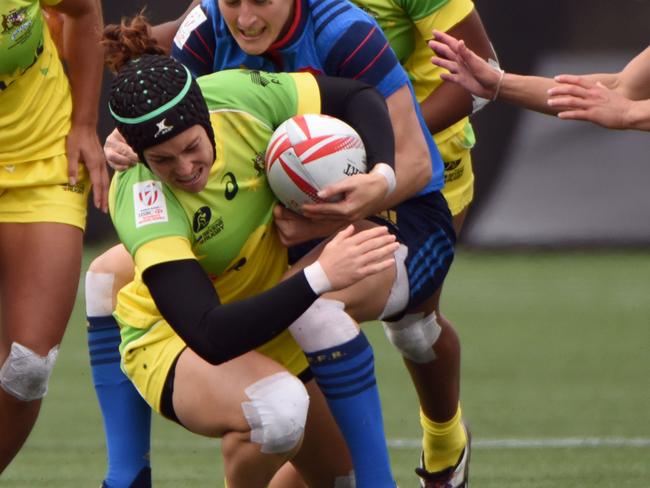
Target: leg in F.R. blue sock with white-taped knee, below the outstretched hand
(342, 361)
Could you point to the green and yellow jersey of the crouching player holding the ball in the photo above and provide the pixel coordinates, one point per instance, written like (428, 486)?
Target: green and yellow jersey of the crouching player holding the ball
(227, 226)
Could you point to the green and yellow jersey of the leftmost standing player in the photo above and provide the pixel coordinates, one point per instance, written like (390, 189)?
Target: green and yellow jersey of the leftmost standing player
(35, 100)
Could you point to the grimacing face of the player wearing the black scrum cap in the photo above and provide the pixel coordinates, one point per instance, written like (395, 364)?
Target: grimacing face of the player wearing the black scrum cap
(184, 161)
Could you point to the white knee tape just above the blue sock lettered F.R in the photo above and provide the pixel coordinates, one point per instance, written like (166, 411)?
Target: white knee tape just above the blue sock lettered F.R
(323, 325)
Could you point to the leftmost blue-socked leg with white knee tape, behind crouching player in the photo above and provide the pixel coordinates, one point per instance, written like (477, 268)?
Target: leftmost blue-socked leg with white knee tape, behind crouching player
(126, 416)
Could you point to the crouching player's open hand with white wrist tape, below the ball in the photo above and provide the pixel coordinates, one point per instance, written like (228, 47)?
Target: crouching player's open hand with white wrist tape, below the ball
(348, 257)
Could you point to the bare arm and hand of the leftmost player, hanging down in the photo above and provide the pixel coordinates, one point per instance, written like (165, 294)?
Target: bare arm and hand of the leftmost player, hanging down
(84, 58)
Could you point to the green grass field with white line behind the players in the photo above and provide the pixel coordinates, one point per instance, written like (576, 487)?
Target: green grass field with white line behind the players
(556, 355)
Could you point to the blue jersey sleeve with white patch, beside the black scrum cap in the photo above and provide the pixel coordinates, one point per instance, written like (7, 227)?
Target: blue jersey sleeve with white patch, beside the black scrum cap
(195, 41)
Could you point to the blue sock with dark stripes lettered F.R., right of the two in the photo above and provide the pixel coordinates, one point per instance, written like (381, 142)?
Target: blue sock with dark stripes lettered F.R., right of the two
(346, 375)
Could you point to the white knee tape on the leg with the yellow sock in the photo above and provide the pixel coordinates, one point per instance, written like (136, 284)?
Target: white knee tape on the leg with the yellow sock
(414, 336)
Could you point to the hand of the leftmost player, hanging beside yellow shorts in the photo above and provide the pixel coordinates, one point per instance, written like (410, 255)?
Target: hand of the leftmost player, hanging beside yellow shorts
(83, 147)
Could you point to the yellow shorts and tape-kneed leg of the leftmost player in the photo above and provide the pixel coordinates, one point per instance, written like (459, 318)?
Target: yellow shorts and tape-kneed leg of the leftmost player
(41, 237)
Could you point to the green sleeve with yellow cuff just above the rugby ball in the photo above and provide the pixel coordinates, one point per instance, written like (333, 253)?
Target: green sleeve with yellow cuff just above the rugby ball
(271, 98)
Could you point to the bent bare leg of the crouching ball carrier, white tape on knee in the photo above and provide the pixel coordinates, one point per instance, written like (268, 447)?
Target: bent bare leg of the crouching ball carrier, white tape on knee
(255, 406)
